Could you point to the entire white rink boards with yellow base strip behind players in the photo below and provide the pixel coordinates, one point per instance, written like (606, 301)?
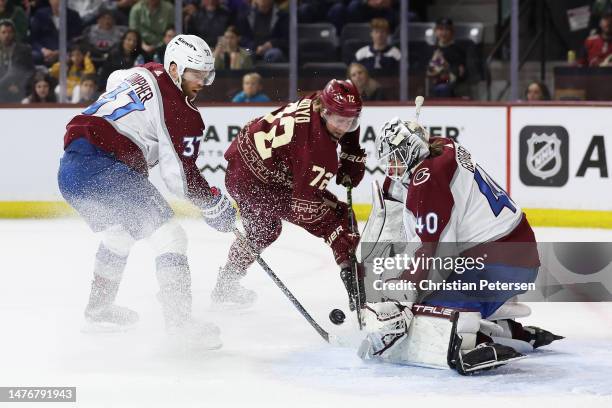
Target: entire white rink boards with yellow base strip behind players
(551, 158)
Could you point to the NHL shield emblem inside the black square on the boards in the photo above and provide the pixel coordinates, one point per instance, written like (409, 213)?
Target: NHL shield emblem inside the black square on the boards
(544, 155)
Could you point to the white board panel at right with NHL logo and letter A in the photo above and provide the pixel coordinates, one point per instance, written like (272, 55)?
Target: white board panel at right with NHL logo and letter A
(559, 157)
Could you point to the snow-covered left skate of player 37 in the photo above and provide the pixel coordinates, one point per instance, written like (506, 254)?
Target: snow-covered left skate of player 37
(101, 314)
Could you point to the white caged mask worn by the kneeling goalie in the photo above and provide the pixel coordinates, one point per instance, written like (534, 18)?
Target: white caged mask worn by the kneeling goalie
(400, 146)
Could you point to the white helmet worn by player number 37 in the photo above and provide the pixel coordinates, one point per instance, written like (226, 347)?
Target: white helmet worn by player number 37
(190, 51)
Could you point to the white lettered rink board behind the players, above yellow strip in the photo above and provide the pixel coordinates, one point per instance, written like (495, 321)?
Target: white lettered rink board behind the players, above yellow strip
(33, 139)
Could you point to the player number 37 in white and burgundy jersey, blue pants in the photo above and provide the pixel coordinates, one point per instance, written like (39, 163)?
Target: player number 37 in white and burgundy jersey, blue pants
(145, 118)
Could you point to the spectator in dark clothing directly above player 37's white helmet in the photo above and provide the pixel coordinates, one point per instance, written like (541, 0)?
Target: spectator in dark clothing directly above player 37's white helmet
(209, 22)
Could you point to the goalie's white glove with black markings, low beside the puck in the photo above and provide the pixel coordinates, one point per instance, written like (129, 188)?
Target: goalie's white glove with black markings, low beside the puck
(387, 324)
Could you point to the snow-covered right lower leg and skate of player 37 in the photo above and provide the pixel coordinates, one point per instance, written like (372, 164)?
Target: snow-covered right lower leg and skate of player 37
(176, 300)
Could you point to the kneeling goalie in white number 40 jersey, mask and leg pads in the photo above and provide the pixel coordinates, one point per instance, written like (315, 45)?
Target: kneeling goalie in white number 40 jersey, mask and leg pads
(437, 194)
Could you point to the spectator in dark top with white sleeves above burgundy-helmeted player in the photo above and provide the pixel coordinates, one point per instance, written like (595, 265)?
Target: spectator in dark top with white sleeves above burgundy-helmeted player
(379, 57)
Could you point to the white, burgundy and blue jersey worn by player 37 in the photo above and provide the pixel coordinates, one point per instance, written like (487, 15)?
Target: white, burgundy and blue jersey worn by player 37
(144, 120)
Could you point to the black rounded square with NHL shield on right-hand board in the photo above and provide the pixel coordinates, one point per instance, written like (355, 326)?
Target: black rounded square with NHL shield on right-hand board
(544, 156)
